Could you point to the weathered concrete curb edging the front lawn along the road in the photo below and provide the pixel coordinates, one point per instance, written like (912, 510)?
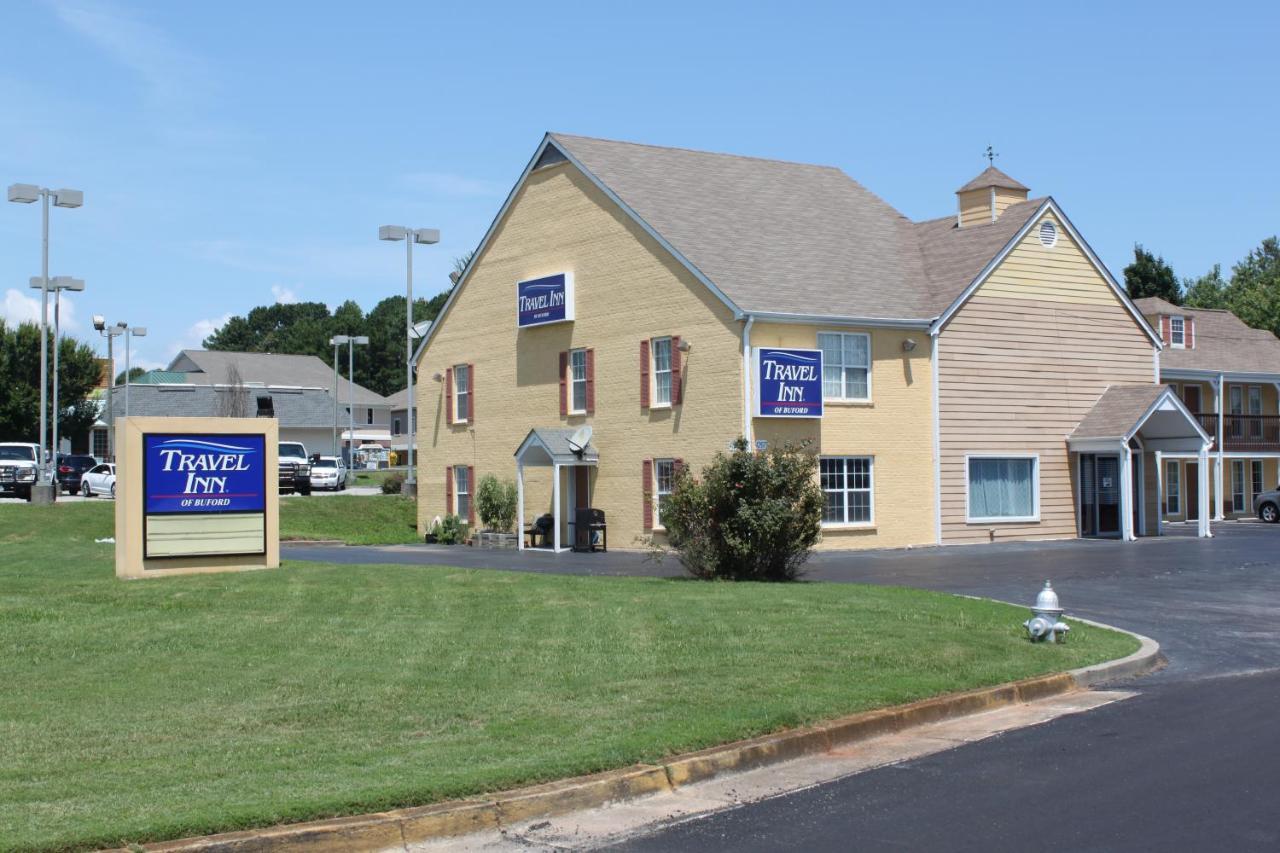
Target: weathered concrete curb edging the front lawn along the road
(405, 827)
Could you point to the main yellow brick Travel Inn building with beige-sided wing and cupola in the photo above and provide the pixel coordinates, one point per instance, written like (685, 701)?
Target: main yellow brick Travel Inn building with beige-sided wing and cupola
(985, 377)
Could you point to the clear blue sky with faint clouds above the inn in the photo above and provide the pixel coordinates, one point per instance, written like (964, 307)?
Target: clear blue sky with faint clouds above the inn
(234, 154)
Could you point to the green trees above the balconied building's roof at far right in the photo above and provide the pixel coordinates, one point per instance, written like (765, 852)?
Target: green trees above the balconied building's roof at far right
(1252, 293)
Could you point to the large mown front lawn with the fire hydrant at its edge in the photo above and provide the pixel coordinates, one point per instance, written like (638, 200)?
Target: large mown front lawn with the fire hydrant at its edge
(145, 710)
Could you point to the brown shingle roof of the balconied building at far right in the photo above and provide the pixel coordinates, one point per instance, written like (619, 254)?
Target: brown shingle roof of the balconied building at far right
(1222, 341)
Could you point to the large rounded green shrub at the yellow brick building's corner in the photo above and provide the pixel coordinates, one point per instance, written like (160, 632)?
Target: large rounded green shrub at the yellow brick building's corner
(753, 517)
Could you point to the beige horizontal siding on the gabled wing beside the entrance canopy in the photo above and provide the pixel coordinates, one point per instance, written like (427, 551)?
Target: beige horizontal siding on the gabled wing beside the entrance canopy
(1021, 364)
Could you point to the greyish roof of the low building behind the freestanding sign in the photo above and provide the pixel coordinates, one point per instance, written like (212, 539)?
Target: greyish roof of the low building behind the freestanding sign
(269, 370)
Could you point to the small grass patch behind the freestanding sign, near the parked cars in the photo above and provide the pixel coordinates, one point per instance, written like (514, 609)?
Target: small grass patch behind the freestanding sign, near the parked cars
(365, 519)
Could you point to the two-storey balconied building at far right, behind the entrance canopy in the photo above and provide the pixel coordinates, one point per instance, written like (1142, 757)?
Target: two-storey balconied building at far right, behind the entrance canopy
(1227, 373)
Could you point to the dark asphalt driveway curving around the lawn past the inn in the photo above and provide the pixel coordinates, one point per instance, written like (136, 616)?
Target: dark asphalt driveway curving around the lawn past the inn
(1188, 765)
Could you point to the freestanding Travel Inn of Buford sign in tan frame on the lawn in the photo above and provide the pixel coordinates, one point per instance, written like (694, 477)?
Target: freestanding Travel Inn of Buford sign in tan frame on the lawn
(196, 495)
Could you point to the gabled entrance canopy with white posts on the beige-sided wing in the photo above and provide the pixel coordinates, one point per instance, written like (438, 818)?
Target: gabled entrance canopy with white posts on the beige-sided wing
(1151, 418)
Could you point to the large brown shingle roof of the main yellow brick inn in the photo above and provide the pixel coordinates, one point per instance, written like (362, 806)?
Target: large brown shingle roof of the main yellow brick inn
(796, 239)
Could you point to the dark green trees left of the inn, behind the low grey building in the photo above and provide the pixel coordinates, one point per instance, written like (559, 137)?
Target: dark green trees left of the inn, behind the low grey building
(305, 329)
